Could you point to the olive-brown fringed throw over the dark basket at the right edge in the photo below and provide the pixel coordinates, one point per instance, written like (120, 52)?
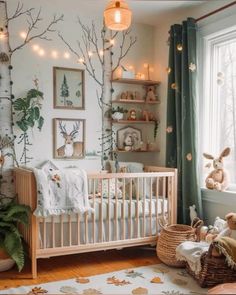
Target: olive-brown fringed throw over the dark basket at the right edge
(227, 246)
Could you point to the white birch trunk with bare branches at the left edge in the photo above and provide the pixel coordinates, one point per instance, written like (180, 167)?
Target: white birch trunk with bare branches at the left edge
(6, 96)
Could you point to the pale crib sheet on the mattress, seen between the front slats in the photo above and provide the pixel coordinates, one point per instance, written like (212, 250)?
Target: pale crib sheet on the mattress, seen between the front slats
(136, 230)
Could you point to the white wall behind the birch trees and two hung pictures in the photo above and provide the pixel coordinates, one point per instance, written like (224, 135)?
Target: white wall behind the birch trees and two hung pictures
(27, 64)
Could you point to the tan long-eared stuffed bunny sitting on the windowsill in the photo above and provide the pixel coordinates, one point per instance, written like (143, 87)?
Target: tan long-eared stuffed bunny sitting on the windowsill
(218, 179)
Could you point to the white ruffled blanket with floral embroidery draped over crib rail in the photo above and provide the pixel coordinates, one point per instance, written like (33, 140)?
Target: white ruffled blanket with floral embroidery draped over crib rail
(61, 192)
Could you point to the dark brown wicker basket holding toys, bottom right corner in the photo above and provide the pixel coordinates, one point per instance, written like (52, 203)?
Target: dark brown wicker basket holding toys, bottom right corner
(214, 271)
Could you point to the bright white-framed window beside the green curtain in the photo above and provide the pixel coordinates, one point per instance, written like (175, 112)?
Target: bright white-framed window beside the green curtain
(219, 97)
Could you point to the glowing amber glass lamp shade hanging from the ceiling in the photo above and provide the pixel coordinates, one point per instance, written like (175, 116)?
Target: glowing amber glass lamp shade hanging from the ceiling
(117, 15)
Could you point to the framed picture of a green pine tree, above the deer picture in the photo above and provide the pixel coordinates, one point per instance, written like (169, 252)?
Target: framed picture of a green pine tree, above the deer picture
(68, 88)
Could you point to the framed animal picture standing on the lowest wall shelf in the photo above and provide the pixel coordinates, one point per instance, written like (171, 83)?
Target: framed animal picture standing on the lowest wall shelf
(129, 139)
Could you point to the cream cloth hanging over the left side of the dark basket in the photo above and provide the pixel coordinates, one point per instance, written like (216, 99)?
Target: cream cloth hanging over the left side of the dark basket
(191, 252)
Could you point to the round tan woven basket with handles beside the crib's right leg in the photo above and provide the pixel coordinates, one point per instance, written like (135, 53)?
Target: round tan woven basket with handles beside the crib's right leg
(171, 236)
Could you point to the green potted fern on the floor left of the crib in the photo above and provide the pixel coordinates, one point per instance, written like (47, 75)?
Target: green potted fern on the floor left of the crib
(11, 243)
